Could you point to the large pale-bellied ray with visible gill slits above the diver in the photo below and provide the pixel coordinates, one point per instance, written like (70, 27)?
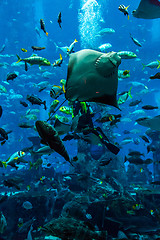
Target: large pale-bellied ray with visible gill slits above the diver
(93, 77)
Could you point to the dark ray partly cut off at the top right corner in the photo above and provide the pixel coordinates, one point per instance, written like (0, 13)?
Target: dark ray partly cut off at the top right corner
(148, 9)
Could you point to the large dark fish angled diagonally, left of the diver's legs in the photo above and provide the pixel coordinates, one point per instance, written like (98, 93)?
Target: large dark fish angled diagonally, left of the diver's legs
(50, 137)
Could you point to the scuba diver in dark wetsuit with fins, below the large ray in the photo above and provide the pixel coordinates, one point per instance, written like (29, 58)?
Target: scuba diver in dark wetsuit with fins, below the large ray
(85, 126)
